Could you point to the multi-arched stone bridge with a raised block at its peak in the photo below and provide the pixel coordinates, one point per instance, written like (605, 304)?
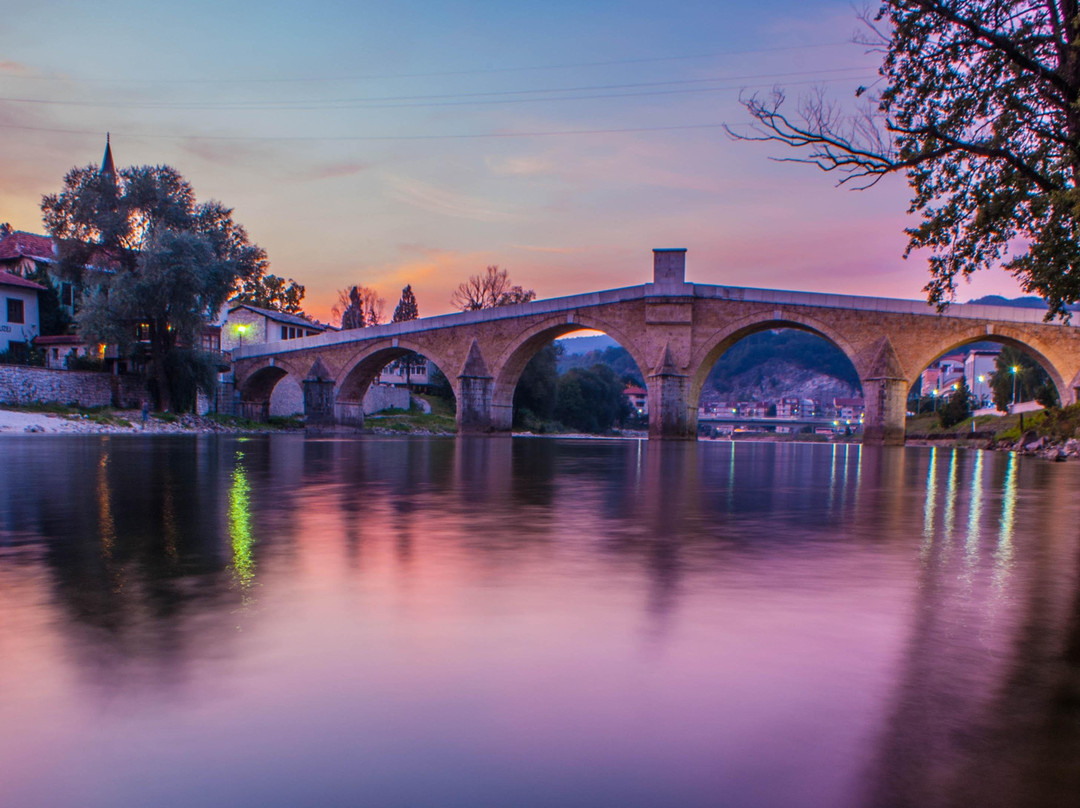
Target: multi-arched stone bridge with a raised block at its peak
(674, 331)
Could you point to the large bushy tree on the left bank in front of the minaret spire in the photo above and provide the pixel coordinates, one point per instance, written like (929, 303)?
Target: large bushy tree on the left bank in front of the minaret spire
(171, 262)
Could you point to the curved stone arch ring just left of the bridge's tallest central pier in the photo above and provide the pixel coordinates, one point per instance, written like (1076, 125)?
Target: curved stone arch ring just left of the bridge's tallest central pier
(511, 362)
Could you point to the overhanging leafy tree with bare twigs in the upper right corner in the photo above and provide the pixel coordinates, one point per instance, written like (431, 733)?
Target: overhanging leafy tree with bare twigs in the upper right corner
(979, 109)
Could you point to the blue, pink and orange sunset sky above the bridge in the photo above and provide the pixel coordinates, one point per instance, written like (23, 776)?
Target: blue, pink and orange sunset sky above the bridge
(385, 144)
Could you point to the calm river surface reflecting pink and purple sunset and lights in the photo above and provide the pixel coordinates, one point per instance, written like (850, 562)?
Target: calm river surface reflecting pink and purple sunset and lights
(279, 623)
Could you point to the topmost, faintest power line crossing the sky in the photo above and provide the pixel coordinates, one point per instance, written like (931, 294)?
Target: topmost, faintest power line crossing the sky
(437, 74)
